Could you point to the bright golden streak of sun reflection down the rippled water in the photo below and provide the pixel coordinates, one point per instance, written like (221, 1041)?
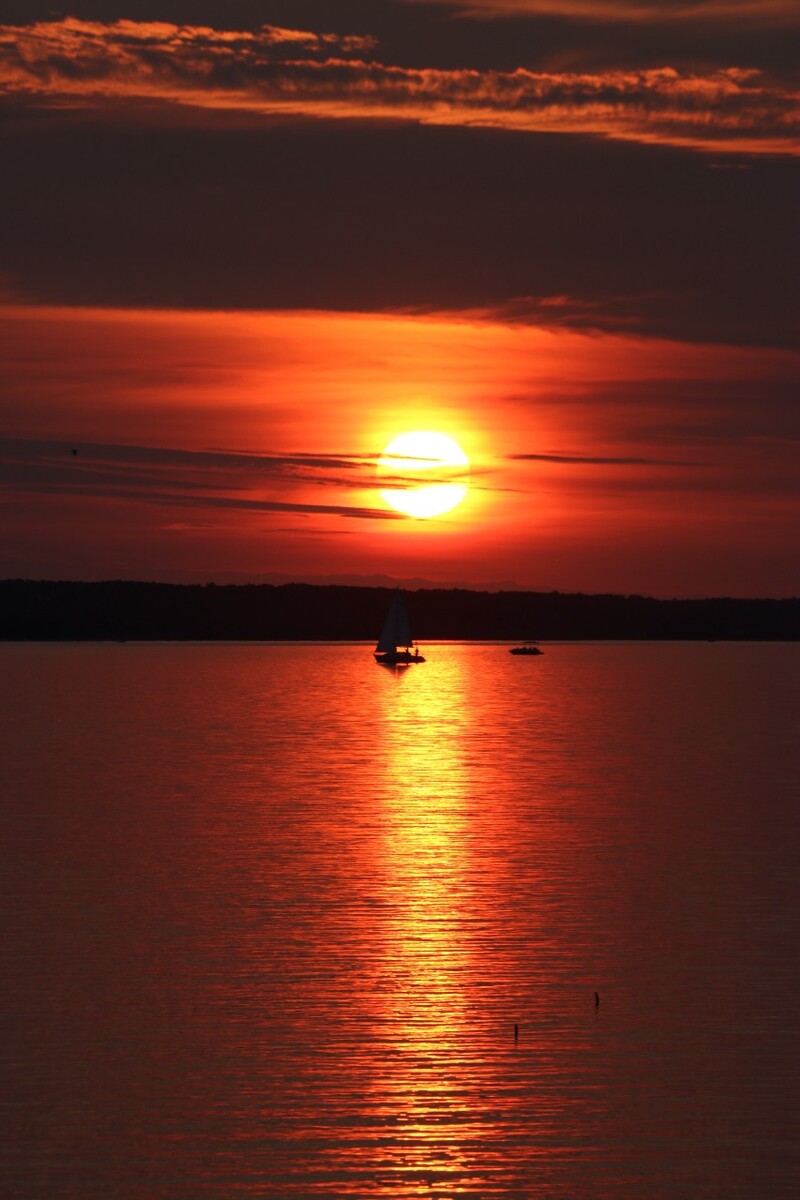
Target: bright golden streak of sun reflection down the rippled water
(430, 1067)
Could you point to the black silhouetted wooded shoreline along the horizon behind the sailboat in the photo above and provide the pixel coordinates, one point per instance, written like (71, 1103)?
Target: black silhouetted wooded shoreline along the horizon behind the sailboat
(68, 611)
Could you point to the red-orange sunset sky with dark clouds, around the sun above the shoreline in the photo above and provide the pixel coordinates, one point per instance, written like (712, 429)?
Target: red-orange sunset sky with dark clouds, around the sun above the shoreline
(244, 245)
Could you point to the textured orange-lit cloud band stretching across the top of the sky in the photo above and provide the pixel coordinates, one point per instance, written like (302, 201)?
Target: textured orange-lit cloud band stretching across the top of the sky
(288, 71)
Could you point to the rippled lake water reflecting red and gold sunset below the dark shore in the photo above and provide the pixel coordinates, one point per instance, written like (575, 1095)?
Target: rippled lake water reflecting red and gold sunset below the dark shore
(270, 915)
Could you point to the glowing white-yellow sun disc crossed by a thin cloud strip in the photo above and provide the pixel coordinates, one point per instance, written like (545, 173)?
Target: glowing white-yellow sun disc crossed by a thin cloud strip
(414, 459)
